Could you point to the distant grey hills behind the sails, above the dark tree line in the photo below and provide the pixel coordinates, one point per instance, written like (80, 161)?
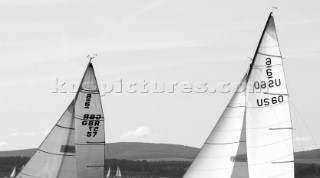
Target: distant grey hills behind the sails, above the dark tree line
(160, 152)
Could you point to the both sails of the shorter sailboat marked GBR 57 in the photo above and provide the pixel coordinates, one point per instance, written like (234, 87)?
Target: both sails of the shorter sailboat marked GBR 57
(75, 146)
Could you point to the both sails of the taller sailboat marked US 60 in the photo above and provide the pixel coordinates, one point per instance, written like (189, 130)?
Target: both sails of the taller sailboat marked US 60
(253, 136)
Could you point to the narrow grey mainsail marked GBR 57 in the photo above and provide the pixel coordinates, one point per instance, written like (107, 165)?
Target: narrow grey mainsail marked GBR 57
(89, 125)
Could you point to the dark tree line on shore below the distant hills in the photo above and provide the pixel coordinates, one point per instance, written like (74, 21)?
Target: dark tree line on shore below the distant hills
(143, 168)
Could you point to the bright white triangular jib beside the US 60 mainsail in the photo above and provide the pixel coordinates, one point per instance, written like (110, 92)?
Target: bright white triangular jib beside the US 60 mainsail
(223, 155)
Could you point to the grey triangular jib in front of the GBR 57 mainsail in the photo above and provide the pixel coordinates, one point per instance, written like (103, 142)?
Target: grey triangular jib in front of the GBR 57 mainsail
(56, 155)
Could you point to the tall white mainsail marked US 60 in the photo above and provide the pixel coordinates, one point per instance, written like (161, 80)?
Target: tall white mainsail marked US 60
(268, 123)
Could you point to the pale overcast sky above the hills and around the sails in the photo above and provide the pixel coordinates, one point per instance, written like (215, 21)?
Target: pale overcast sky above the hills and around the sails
(156, 40)
